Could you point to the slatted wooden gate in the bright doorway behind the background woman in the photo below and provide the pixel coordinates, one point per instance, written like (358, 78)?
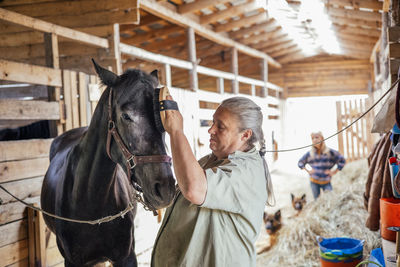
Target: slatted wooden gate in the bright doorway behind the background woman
(356, 142)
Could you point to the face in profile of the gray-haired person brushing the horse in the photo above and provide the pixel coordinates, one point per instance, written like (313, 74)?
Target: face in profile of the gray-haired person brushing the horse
(225, 137)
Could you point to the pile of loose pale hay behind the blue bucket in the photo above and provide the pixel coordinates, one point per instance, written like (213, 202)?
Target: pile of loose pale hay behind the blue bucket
(339, 213)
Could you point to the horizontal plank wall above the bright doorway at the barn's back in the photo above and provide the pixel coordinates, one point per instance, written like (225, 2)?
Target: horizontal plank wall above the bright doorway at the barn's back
(323, 76)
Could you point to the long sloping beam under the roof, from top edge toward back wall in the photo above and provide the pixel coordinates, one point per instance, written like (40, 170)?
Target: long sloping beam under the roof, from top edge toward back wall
(173, 17)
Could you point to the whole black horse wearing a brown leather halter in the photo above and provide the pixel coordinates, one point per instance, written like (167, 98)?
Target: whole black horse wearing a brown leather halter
(92, 170)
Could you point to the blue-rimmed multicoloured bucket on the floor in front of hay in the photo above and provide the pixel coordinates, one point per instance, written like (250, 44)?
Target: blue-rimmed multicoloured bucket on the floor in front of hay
(340, 251)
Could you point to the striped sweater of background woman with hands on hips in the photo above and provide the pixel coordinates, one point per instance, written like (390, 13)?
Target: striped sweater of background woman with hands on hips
(321, 163)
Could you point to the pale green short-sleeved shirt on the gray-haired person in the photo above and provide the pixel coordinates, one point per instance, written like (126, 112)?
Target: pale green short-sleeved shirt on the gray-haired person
(222, 231)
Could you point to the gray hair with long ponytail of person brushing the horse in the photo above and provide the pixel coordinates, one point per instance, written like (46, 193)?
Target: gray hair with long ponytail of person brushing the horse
(249, 116)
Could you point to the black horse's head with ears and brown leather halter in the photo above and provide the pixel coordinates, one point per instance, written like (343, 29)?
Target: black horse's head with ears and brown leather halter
(132, 120)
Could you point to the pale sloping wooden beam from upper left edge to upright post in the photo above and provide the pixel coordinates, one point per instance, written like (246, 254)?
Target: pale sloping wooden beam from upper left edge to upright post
(51, 28)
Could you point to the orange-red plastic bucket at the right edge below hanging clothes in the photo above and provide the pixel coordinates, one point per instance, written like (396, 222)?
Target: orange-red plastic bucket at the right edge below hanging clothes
(390, 216)
